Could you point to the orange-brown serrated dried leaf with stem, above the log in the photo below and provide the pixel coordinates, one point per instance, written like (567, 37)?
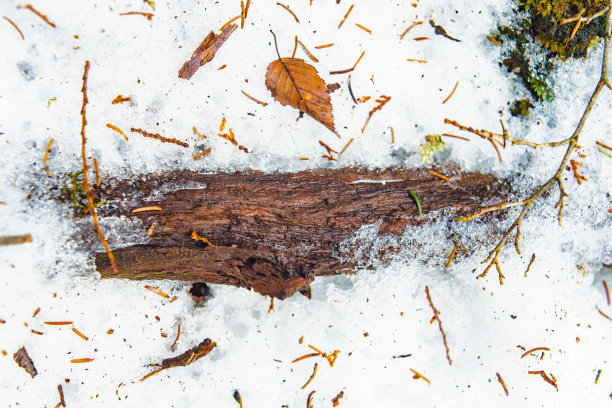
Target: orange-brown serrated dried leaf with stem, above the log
(296, 83)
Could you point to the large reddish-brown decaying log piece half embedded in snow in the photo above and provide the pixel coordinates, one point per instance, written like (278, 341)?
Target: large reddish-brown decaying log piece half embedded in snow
(274, 232)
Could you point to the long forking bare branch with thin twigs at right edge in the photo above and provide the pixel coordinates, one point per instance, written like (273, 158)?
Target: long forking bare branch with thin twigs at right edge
(571, 142)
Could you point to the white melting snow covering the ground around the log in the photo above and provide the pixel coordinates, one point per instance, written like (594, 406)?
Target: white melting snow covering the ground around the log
(554, 306)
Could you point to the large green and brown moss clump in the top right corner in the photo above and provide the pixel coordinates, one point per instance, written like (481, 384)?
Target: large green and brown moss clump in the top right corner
(541, 26)
